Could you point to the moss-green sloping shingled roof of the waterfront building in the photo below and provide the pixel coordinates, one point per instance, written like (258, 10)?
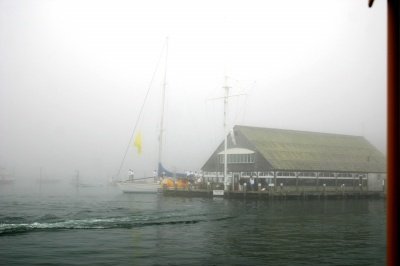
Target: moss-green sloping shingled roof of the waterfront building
(300, 150)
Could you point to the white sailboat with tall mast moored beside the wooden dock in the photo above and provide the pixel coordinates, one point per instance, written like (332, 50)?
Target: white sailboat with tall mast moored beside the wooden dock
(149, 184)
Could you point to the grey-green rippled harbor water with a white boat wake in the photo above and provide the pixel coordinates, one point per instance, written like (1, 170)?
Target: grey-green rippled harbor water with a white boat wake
(59, 225)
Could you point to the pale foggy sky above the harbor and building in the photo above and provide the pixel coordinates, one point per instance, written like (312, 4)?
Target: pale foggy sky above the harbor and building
(73, 75)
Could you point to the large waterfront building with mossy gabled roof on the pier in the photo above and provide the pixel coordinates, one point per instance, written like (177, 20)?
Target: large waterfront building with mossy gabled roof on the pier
(271, 158)
